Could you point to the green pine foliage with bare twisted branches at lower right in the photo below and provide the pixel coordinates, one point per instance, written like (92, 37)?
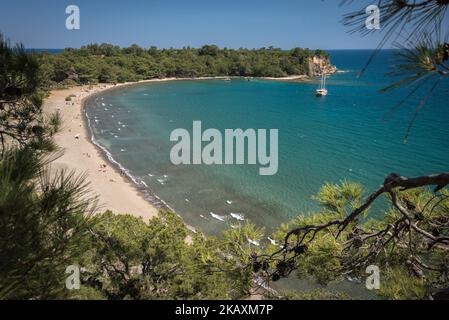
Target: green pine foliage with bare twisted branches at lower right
(410, 268)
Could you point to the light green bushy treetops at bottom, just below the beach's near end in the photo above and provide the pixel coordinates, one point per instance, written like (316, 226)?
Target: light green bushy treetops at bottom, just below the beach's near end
(130, 259)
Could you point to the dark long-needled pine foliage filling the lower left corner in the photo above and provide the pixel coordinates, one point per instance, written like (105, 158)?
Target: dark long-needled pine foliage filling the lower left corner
(43, 221)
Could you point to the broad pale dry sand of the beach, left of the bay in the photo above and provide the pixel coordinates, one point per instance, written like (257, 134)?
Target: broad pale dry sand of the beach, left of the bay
(115, 192)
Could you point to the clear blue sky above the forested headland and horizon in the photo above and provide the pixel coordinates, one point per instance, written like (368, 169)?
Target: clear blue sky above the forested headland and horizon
(172, 23)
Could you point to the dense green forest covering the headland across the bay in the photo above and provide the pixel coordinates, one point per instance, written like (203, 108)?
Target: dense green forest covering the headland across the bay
(109, 64)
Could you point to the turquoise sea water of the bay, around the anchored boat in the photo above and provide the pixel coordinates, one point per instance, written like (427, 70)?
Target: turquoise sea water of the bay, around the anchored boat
(343, 135)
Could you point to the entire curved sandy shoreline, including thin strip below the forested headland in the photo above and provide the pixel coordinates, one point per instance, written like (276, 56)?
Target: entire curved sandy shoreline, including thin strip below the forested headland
(116, 189)
